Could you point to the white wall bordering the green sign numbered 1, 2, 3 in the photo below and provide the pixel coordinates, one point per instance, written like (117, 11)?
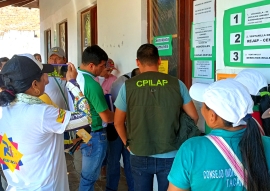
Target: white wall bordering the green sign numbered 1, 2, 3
(221, 6)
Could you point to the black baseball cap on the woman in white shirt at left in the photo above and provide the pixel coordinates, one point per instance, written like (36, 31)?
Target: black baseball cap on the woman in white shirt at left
(23, 66)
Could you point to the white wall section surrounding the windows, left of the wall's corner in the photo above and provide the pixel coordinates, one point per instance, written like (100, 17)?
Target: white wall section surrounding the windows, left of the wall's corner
(54, 12)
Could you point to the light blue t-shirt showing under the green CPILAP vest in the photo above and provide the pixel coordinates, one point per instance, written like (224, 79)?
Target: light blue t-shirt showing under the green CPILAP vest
(120, 103)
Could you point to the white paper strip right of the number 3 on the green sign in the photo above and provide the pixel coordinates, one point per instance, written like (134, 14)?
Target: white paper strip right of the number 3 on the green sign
(256, 56)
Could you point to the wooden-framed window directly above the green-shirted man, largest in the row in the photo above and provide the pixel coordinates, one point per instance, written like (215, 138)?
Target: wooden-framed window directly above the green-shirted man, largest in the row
(89, 27)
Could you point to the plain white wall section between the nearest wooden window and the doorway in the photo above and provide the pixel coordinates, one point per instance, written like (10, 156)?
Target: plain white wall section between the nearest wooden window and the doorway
(122, 28)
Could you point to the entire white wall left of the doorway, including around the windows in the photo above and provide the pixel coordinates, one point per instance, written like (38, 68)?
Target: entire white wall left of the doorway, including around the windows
(122, 27)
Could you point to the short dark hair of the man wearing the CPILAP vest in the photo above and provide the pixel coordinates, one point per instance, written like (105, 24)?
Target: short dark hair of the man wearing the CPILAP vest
(148, 54)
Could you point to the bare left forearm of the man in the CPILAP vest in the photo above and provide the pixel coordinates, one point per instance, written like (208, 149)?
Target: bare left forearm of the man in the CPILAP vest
(119, 123)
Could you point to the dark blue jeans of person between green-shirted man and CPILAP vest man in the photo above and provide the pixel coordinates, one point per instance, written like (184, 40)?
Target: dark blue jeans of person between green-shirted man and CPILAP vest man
(115, 149)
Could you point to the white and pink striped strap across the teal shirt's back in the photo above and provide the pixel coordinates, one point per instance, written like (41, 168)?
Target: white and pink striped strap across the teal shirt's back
(231, 158)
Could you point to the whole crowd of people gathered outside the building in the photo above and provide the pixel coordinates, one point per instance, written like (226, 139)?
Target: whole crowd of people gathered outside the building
(136, 116)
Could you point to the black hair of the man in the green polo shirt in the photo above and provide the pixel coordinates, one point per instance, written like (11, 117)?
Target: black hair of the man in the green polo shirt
(93, 54)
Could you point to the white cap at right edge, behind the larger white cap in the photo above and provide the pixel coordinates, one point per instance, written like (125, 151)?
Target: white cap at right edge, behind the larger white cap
(252, 79)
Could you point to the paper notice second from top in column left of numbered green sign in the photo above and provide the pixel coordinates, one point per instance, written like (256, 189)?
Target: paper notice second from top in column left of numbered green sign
(203, 34)
